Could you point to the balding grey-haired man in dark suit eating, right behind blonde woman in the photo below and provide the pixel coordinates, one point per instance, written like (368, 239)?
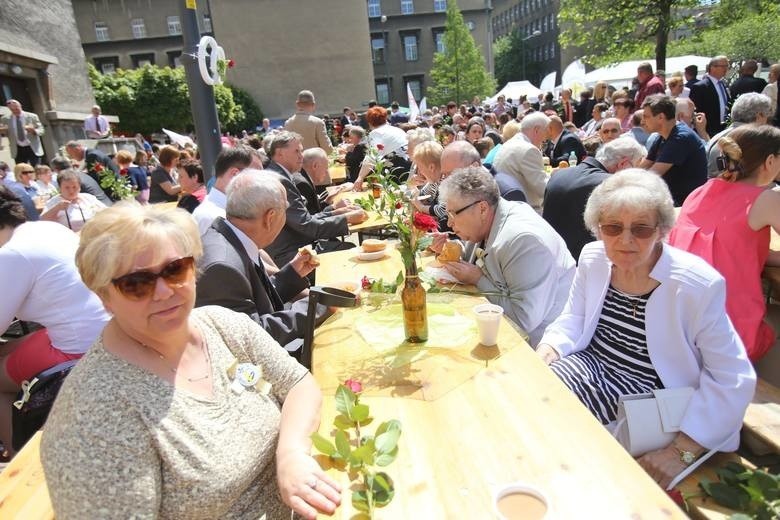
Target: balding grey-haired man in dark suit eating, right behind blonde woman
(232, 273)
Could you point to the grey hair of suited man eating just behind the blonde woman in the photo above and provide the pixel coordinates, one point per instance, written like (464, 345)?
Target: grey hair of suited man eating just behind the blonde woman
(251, 193)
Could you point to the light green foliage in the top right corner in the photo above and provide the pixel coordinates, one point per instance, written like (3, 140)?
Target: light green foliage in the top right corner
(739, 29)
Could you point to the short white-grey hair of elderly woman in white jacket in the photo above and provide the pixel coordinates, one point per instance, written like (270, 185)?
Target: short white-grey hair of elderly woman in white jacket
(632, 189)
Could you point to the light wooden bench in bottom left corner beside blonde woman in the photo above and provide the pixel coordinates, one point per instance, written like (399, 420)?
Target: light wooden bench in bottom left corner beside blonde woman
(23, 491)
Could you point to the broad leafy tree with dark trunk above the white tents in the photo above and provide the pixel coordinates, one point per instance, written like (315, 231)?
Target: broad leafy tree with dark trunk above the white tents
(612, 31)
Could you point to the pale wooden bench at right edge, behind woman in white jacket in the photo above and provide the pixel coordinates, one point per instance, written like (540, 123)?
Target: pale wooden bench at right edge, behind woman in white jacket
(761, 427)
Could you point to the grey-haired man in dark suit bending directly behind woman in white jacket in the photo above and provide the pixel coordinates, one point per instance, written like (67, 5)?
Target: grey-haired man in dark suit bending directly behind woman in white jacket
(568, 190)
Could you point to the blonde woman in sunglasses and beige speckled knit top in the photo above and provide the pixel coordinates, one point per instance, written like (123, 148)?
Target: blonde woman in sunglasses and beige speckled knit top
(175, 412)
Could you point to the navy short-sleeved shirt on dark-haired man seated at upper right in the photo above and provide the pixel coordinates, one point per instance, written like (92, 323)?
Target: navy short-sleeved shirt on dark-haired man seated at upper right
(685, 152)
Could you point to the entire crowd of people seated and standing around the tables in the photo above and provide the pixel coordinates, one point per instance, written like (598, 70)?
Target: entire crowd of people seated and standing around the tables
(567, 213)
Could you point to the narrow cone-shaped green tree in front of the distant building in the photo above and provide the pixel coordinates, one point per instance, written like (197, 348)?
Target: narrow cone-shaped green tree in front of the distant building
(458, 73)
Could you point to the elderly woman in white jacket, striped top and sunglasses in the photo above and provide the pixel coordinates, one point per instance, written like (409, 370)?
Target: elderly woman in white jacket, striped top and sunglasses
(643, 315)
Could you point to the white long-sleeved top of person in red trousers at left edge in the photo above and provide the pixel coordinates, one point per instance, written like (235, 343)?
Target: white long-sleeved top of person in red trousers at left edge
(40, 283)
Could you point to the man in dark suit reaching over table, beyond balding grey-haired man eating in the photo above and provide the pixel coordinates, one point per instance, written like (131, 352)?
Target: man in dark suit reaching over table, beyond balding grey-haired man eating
(301, 227)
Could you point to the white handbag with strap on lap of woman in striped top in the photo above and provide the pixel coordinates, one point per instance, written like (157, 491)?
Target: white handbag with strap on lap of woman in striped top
(651, 421)
